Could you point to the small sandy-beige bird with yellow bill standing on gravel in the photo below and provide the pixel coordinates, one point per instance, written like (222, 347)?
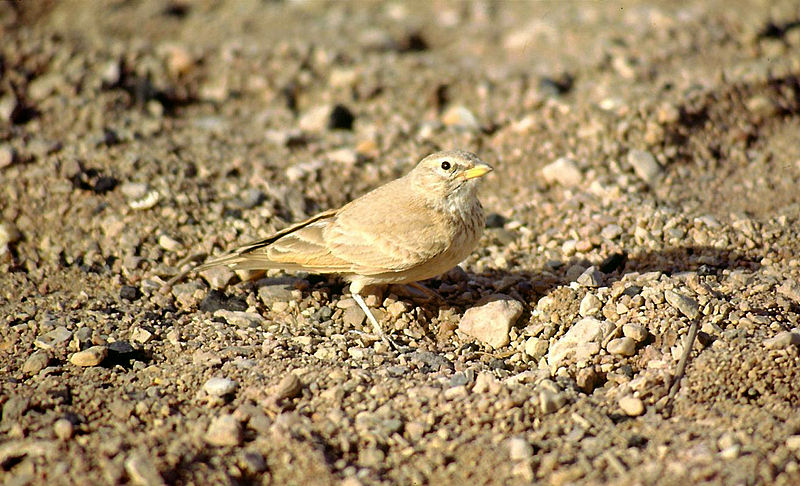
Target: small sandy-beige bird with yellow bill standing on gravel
(411, 229)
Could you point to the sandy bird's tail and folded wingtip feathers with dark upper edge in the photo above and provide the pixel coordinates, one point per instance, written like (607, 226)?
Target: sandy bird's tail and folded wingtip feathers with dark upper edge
(298, 247)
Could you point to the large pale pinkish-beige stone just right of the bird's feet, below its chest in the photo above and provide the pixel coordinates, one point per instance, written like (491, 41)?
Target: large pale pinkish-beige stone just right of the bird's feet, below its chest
(491, 322)
